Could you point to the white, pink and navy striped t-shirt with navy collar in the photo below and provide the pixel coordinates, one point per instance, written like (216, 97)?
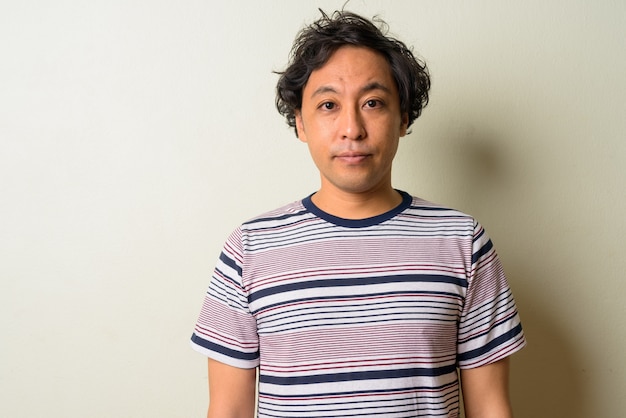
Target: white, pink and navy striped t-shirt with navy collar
(359, 318)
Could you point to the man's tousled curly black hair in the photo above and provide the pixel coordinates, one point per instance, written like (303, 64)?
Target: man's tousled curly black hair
(315, 44)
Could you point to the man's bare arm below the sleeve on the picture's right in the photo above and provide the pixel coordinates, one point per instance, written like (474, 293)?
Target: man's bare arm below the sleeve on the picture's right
(486, 391)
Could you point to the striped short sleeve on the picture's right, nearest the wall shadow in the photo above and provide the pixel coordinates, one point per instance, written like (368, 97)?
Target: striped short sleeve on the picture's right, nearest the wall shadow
(490, 327)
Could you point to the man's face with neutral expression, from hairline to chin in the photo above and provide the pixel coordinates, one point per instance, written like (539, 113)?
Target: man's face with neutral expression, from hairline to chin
(351, 121)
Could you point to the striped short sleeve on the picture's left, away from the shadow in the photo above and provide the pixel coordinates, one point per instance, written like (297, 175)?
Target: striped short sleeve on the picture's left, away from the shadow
(226, 330)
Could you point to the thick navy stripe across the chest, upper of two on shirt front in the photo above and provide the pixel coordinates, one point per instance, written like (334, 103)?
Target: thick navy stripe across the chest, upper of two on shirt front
(358, 281)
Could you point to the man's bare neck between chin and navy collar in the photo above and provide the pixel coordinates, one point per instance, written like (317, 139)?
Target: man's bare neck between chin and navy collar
(350, 205)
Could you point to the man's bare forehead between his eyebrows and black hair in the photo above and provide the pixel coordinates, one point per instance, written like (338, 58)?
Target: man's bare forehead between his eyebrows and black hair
(352, 66)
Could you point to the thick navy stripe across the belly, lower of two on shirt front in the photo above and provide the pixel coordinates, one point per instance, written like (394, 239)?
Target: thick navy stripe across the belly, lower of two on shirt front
(355, 376)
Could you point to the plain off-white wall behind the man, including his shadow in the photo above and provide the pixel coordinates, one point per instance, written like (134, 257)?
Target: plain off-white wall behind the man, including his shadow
(135, 135)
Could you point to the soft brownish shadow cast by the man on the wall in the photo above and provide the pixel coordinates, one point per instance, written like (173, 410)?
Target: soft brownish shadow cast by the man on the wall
(547, 379)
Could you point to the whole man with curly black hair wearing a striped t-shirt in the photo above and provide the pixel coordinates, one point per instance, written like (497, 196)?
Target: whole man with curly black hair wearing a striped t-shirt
(359, 300)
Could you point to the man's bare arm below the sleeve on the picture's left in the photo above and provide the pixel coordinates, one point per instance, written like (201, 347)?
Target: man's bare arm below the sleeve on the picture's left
(232, 391)
